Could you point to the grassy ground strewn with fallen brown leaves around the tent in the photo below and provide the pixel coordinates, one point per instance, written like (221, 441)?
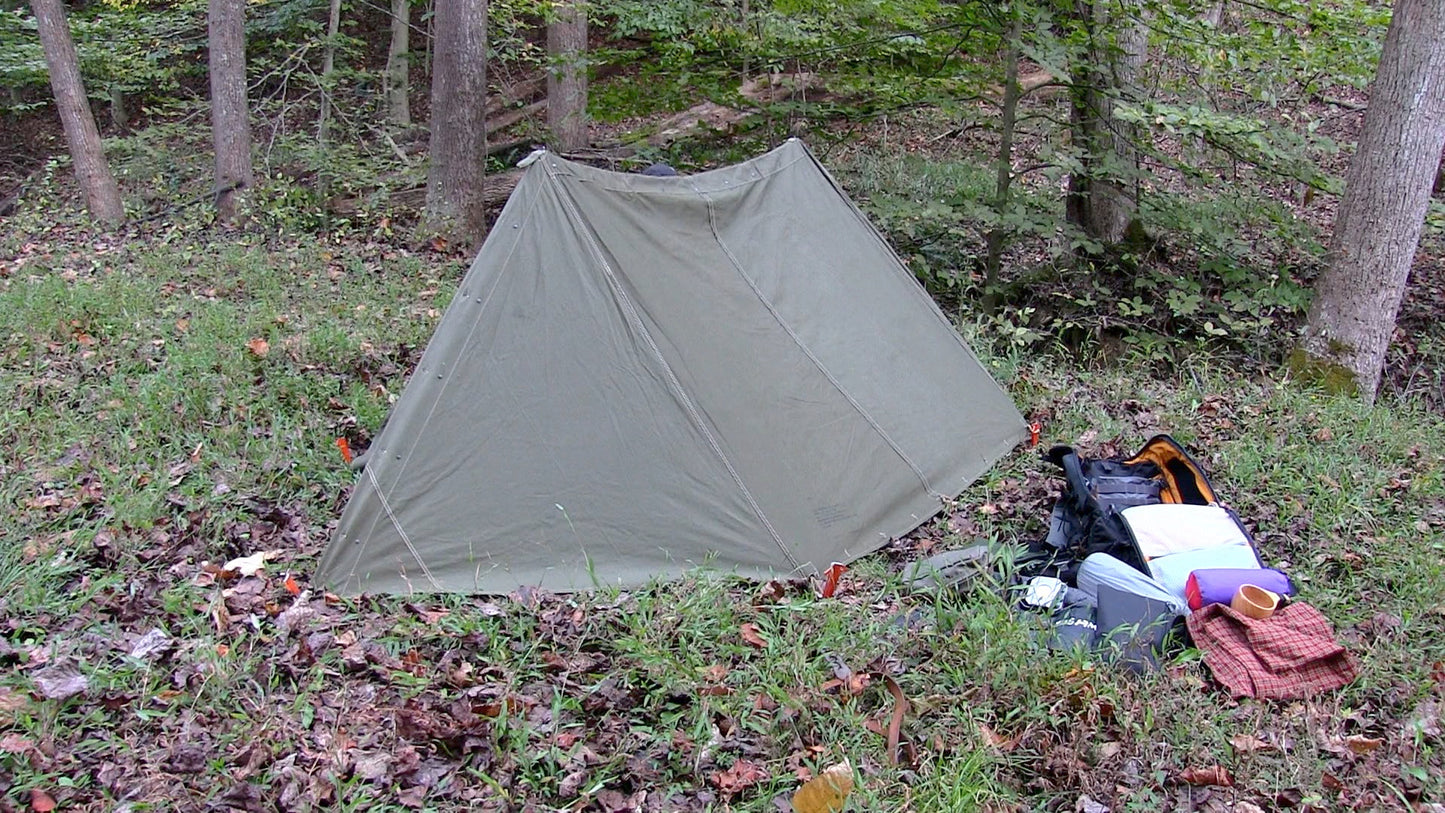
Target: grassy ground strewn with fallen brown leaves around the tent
(176, 394)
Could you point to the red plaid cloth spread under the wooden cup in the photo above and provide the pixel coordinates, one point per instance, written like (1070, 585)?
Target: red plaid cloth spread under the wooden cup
(1287, 656)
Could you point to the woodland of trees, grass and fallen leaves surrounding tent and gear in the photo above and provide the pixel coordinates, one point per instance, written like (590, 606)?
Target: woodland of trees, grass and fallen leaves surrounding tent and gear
(229, 229)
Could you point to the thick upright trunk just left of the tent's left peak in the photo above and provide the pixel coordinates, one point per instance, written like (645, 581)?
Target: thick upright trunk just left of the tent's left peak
(456, 207)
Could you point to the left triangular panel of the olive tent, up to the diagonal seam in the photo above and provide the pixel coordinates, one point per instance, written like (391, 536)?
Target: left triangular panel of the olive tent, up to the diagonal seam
(557, 438)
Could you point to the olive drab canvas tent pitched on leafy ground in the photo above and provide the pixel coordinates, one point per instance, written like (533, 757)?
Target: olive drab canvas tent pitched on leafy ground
(641, 376)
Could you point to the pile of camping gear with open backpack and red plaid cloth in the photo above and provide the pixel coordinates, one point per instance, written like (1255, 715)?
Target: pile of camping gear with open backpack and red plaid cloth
(1139, 545)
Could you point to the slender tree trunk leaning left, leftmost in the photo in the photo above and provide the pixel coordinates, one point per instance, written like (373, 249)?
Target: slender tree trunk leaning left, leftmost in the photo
(92, 171)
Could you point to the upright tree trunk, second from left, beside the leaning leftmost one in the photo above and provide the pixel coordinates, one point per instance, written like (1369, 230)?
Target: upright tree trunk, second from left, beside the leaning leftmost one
(230, 115)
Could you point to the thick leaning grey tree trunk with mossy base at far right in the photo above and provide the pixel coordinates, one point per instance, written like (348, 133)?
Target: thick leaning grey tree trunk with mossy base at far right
(1388, 193)
